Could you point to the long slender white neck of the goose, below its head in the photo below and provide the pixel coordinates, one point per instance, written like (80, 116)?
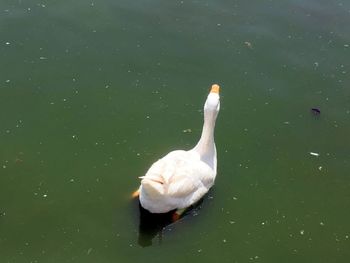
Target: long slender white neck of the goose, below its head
(206, 144)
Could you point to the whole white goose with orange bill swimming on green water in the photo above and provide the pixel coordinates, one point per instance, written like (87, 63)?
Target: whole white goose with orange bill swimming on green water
(181, 178)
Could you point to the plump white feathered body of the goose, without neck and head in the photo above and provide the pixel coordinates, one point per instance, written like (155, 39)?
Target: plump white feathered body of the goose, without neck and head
(183, 178)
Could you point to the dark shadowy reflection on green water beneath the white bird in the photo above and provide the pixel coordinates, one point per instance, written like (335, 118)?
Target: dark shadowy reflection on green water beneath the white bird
(152, 225)
